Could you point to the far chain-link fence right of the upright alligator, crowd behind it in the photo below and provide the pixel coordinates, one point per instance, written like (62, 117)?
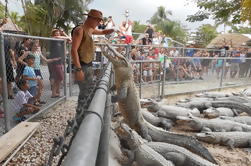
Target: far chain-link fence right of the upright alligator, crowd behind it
(160, 71)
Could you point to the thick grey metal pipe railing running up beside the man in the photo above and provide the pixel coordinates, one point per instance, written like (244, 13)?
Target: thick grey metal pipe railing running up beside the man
(84, 148)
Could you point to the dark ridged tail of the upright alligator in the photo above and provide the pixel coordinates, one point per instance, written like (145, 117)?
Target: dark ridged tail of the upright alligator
(188, 142)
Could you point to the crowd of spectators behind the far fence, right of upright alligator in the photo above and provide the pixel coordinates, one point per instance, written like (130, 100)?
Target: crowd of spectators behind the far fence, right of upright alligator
(189, 63)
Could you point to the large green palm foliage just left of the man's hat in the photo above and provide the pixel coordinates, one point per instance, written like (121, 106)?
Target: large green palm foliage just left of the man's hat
(43, 15)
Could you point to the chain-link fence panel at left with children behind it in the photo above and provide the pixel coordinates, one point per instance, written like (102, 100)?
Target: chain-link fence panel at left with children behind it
(33, 76)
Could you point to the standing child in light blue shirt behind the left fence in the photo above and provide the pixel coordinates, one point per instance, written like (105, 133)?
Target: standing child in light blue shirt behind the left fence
(30, 75)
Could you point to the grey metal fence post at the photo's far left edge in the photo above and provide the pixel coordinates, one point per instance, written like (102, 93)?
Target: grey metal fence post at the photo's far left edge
(4, 84)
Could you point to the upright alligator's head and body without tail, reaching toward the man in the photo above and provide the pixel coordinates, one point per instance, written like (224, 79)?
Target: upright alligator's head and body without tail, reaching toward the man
(127, 96)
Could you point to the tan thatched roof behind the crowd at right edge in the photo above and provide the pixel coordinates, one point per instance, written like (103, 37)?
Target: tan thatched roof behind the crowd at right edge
(231, 39)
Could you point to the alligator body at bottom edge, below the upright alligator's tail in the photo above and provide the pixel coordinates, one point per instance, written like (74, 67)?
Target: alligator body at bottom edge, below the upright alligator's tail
(178, 155)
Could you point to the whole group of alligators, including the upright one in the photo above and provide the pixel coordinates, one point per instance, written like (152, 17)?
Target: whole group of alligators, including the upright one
(144, 132)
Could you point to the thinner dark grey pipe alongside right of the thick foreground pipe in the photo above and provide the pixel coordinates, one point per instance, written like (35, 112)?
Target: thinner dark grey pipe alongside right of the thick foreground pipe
(103, 155)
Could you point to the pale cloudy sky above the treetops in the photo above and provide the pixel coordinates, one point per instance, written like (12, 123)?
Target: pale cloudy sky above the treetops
(143, 10)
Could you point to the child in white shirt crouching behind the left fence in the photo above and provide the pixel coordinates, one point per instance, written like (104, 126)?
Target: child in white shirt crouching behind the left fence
(23, 102)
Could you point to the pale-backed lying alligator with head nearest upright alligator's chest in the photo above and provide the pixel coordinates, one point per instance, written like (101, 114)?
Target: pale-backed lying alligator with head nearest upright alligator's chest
(171, 111)
